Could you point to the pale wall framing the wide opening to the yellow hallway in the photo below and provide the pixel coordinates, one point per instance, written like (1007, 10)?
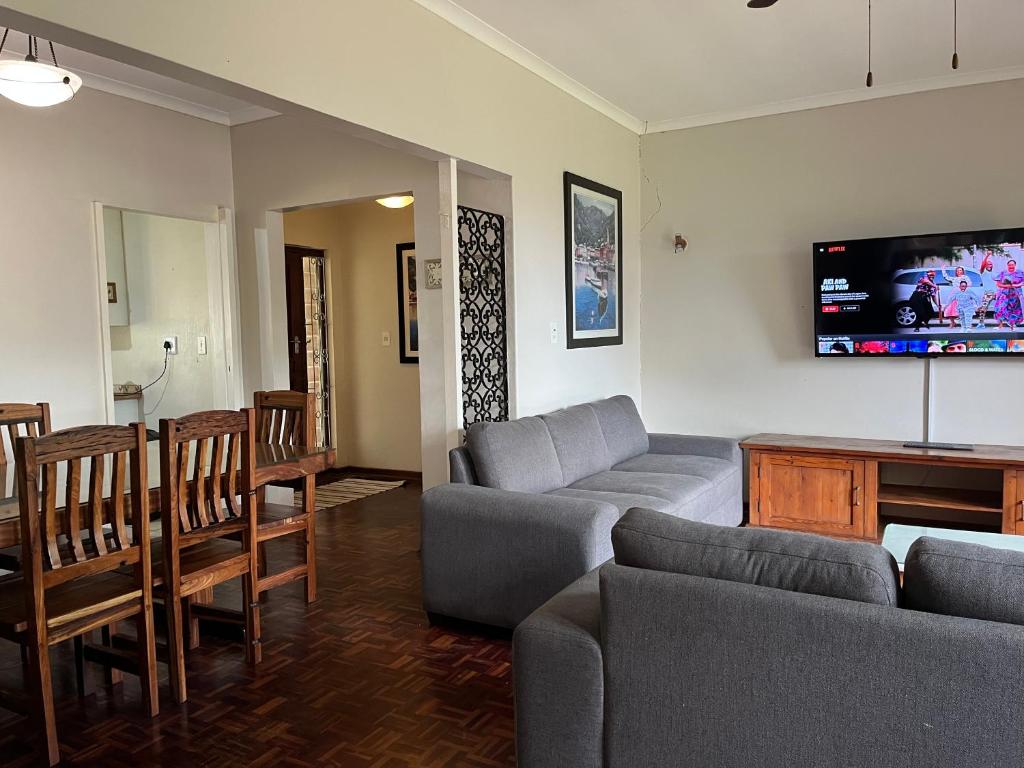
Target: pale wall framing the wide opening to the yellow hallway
(286, 163)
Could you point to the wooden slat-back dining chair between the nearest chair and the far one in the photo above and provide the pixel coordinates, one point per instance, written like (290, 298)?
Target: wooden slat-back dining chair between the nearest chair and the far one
(208, 521)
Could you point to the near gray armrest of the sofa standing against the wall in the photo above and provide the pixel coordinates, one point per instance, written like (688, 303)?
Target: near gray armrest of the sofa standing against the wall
(495, 557)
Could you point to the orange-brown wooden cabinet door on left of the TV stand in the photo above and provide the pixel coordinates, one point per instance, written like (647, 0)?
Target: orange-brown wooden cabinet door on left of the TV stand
(822, 496)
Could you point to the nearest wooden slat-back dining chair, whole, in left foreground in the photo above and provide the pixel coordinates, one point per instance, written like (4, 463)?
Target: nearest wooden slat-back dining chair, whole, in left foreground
(87, 566)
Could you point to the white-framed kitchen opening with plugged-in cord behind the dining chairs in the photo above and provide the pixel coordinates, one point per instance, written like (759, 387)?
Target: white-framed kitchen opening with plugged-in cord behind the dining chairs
(167, 309)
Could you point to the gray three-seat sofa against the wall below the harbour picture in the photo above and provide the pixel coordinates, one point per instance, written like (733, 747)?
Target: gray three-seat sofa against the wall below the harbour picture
(533, 502)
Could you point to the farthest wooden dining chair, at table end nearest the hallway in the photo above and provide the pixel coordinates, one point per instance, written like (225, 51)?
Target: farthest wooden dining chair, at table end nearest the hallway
(287, 418)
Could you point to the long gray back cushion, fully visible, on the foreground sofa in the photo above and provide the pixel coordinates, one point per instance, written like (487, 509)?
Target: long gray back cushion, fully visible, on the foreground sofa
(797, 563)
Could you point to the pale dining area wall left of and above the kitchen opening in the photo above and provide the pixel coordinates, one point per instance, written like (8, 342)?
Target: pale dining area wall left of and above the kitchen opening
(57, 163)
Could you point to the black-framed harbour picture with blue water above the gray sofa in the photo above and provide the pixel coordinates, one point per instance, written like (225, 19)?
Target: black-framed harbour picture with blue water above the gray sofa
(593, 264)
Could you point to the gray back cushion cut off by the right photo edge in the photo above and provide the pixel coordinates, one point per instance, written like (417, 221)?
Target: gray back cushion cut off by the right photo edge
(965, 580)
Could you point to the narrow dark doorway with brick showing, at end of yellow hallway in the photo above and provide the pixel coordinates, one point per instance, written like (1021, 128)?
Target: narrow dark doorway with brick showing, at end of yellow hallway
(309, 356)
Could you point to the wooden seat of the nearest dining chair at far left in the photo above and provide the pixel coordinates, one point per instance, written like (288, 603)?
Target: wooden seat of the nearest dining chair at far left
(67, 604)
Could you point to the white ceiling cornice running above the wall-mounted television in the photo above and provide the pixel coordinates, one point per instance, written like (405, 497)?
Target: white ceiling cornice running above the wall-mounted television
(840, 98)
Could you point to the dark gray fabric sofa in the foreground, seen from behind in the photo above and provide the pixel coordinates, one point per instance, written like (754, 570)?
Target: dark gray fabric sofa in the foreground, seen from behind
(753, 649)
